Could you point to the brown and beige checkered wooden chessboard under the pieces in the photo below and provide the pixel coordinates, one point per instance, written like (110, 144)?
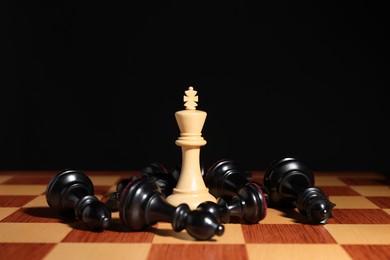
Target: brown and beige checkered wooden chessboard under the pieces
(359, 228)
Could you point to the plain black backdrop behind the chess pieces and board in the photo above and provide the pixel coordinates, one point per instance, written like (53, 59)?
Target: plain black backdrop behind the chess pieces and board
(96, 86)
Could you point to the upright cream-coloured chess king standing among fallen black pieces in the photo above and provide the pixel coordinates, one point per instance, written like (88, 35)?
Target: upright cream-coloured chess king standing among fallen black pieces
(190, 187)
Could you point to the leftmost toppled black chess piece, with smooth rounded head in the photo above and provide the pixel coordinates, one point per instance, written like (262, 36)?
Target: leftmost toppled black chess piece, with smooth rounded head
(70, 194)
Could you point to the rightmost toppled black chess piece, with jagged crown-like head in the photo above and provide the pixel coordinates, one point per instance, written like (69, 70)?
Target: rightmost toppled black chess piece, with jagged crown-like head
(291, 184)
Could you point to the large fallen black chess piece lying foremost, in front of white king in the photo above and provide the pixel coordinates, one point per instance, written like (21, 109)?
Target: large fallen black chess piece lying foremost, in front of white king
(142, 204)
